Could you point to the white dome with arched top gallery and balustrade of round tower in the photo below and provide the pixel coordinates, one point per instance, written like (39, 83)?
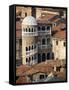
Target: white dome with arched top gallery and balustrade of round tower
(29, 26)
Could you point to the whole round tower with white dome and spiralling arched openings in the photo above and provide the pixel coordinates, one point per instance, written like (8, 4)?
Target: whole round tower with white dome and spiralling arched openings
(29, 40)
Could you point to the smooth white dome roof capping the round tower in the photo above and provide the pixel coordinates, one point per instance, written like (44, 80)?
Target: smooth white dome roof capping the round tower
(29, 20)
